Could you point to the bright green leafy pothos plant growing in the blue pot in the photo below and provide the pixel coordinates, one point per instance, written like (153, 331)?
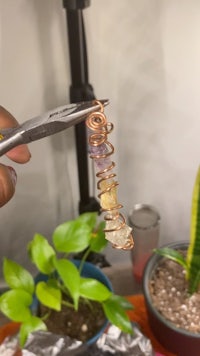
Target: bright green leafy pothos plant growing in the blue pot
(63, 277)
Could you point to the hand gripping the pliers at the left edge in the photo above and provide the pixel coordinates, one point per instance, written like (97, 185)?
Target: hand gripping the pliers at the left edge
(19, 154)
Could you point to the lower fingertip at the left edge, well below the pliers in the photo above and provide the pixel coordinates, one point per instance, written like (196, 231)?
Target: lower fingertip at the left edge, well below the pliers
(8, 179)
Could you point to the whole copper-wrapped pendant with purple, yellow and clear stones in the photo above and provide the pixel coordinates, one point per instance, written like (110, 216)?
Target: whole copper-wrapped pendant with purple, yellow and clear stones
(116, 229)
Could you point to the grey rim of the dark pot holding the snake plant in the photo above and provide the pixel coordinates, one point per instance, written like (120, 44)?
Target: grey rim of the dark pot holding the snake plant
(150, 267)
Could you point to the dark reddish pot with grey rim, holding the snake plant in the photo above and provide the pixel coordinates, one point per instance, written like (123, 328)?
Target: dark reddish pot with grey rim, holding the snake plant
(178, 341)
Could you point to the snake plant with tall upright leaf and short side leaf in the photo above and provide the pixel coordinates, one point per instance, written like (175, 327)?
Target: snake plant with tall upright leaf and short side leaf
(191, 262)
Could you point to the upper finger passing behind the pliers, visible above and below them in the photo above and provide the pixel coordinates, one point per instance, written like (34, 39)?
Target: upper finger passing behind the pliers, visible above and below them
(20, 154)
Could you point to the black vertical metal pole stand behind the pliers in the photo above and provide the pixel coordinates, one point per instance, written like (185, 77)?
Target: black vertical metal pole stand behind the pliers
(80, 90)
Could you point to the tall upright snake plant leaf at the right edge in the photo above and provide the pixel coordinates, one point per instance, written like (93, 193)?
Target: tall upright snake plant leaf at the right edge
(193, 254)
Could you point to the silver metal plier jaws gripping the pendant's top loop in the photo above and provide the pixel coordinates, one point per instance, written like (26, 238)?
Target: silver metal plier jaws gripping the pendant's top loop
(47, 124)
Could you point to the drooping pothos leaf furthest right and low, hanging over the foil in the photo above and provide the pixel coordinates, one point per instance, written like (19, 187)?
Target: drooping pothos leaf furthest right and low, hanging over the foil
(117, 315)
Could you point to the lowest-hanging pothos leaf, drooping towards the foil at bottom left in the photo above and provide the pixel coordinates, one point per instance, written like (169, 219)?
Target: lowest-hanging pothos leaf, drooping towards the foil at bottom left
(32, 324)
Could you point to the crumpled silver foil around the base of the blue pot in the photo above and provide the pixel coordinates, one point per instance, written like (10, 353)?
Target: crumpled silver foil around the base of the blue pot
(113, 342)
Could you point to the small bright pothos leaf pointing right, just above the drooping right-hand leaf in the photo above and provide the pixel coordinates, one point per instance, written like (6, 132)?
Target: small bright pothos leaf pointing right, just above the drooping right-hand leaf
(94, 290)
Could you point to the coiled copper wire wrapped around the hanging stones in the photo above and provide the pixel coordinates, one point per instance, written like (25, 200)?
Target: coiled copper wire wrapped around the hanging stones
(99, 130)
